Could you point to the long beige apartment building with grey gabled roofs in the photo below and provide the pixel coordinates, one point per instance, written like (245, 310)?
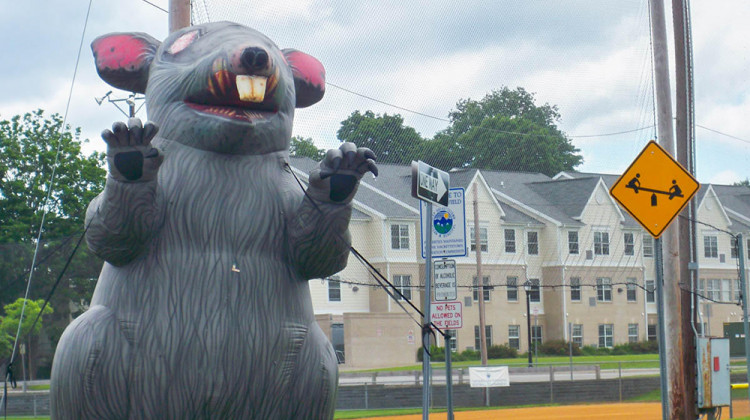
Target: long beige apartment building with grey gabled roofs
(589, 265)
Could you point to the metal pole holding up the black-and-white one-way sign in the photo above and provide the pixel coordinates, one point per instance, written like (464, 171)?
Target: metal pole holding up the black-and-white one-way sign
(427, 317)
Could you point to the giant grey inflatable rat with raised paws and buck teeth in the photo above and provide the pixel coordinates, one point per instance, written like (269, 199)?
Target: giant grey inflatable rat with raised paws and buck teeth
(202, 309)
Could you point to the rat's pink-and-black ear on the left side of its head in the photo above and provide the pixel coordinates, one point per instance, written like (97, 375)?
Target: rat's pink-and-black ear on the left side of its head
(123, 59)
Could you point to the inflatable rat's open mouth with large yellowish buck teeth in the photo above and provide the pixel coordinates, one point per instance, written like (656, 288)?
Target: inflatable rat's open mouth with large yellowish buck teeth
(236, 96)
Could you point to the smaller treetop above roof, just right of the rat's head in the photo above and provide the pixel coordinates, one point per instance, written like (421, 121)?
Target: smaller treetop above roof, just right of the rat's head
(386, 135)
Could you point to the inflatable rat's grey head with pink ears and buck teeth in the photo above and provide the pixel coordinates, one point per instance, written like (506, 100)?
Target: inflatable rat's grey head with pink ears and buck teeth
(220, 86)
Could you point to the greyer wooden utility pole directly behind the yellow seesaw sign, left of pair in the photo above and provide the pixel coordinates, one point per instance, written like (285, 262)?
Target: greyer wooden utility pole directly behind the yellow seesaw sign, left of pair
(672, 303)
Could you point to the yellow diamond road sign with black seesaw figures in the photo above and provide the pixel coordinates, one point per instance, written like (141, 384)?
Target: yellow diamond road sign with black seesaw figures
(654, 189)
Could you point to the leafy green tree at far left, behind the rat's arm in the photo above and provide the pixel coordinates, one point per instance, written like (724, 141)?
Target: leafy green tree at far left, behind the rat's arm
(28, 145)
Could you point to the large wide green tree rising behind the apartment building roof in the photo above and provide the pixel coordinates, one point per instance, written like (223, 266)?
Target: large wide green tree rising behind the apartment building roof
(506, 130)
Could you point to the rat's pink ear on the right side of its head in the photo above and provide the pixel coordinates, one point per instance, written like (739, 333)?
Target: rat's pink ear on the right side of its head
(309, 77)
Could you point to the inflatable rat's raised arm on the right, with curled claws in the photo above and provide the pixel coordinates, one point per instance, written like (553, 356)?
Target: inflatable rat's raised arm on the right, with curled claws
(319, 230)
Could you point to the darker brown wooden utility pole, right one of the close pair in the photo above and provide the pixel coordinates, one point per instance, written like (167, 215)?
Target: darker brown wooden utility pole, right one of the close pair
(685, 128)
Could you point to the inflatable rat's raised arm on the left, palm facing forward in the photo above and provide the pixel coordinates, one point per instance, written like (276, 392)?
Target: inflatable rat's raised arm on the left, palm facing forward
(124, 216)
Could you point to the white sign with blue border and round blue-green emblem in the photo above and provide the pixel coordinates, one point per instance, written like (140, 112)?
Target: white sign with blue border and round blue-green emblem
(448, 227)
